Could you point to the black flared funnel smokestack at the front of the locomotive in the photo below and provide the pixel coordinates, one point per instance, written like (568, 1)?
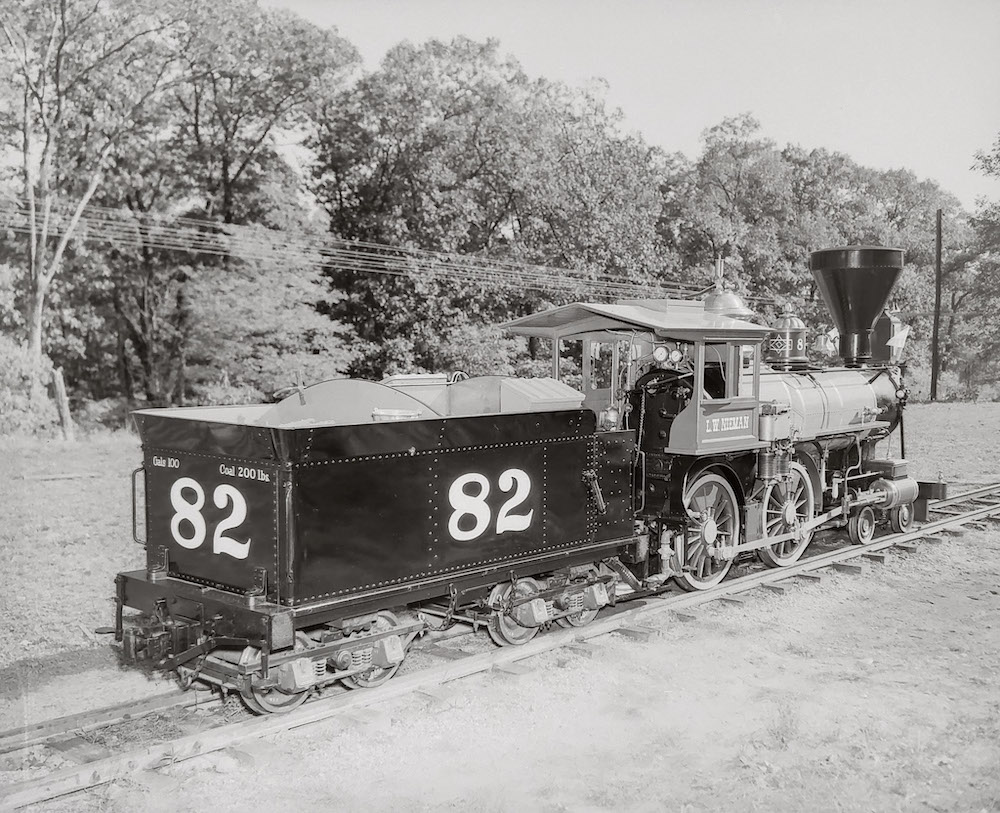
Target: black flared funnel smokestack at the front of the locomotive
(856, 282)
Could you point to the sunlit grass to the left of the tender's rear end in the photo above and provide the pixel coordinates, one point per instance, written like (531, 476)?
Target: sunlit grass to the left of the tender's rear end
(65, 531)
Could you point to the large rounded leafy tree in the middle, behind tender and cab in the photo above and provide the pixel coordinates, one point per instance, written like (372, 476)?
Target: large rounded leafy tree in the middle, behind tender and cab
(450, 147)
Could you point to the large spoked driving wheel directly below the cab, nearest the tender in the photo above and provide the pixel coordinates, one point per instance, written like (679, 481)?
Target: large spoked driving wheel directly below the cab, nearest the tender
(714, 514)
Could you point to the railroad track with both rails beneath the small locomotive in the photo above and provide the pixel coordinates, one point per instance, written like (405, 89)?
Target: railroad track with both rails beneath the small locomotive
(970, 509)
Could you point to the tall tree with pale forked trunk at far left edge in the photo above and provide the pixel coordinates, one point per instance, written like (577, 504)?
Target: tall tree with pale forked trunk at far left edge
(84, 70)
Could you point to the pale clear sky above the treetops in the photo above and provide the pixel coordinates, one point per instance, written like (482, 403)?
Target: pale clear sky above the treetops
(911, 84)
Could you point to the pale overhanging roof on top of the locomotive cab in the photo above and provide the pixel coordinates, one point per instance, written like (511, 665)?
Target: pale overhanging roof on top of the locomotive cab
(675, 319)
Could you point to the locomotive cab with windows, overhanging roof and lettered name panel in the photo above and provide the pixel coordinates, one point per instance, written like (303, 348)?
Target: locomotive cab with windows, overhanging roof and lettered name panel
(702, 368)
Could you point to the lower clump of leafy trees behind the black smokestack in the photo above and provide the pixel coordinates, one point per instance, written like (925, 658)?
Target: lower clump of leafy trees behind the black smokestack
(764, 209)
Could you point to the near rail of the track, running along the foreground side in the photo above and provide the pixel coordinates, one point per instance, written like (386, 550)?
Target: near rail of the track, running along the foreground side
(99, 772)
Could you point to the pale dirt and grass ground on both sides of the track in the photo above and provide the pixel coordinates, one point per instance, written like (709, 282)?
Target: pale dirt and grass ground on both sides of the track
(863, 693)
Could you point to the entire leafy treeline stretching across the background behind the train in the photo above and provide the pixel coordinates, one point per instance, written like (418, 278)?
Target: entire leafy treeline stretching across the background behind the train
(234, 116)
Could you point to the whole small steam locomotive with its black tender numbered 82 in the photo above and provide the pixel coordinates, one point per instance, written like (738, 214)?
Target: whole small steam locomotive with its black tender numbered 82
(310, 541)
